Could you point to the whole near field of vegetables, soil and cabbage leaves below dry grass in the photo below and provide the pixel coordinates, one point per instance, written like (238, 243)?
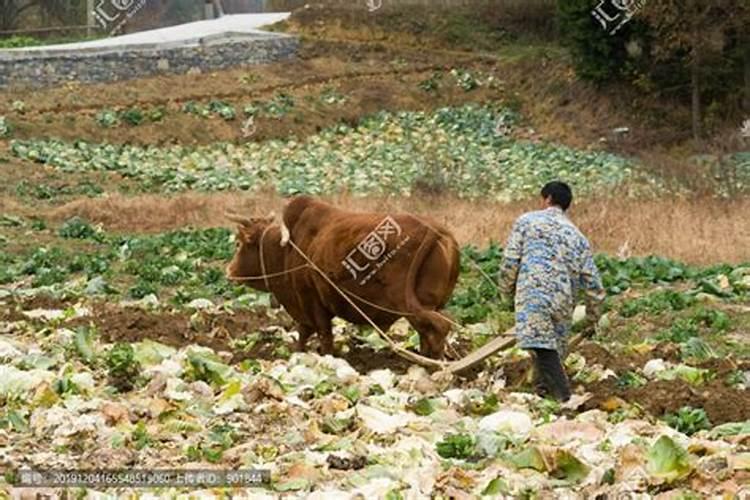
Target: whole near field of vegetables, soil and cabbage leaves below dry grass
(133, 351)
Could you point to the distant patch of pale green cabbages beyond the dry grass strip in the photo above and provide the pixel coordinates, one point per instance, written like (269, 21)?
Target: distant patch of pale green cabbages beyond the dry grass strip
(460, 150)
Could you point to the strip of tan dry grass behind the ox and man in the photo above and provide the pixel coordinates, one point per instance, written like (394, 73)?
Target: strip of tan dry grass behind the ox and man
(705, 231)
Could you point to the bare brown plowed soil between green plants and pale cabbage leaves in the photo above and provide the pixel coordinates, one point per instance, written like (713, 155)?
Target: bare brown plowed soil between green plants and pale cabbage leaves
(721, 402)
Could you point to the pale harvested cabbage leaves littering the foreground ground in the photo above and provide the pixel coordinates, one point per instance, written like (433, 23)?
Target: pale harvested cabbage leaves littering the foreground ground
(324, 430)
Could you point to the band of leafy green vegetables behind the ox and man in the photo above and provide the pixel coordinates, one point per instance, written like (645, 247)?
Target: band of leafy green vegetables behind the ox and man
(189, 257)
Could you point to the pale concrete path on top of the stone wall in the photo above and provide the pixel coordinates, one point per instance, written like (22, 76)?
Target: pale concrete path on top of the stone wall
(233, 26)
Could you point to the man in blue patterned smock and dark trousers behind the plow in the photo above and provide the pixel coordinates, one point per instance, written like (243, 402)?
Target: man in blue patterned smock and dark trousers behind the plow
(547, 261)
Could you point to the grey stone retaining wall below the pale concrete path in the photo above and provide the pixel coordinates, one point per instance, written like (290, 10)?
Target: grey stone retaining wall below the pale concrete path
(44, 68)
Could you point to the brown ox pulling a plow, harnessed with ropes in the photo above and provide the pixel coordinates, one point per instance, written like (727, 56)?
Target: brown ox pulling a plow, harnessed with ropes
(390, 266)
